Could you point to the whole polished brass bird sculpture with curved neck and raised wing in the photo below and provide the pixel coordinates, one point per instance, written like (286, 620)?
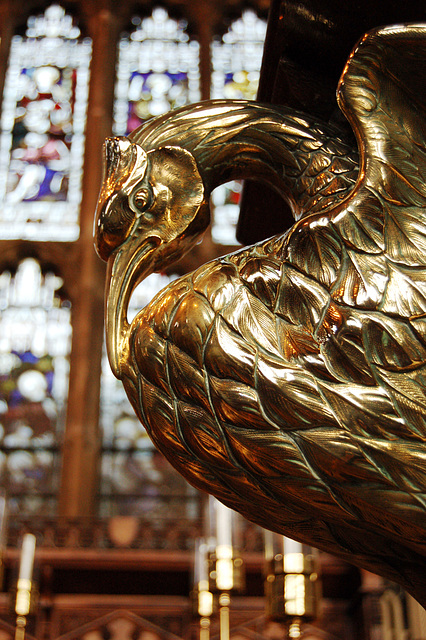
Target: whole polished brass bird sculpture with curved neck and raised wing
(288, 379)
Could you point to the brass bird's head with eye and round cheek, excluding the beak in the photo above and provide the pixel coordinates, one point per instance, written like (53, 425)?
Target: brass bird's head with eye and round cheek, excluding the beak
(150, 198)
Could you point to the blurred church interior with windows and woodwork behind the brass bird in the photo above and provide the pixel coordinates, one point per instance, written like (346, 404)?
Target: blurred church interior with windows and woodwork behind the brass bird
(118, 532)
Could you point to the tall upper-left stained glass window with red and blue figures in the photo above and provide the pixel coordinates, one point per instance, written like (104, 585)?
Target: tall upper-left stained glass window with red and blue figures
(42, 129)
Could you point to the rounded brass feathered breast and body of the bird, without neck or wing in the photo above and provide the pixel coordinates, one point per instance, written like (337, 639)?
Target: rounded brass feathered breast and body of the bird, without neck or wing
(284, 411)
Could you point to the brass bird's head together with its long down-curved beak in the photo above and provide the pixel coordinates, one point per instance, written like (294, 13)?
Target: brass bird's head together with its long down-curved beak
(151, 210)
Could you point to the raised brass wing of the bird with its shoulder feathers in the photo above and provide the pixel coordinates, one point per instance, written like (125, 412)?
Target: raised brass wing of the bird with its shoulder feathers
(372, 249)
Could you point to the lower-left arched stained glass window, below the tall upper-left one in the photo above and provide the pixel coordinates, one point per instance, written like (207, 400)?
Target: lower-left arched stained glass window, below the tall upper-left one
(35, 340)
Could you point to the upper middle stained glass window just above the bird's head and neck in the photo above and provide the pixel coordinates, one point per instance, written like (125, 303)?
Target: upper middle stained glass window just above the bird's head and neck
(158, 70)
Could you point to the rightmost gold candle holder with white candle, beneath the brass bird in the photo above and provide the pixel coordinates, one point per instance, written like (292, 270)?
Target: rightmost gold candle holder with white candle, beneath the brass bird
(292, 585)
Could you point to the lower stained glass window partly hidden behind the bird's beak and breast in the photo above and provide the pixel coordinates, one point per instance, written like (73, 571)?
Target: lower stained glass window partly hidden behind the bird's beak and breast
(135, 478)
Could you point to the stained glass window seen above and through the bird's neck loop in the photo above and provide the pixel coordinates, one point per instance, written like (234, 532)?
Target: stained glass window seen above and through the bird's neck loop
(236, 61)
